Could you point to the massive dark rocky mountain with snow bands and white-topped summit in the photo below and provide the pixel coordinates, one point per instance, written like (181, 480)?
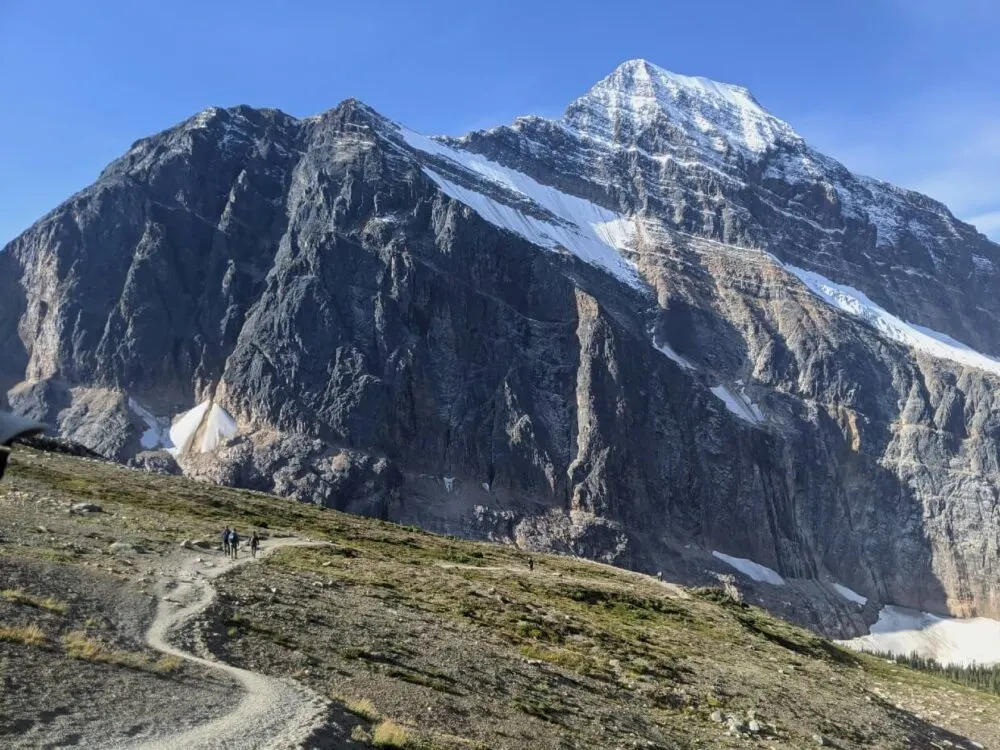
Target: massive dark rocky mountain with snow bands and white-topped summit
(658, 328)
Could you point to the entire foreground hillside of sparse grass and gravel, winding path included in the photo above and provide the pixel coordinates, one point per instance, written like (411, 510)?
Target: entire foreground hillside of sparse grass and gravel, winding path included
(389, 636)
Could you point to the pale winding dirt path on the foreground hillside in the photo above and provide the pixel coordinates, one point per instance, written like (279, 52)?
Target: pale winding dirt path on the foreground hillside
(274, 713)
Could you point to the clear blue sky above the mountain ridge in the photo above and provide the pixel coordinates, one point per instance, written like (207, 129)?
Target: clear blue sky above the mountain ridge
(905, 90)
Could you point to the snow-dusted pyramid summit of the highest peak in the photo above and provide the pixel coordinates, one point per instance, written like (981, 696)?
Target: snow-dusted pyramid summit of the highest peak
(719, 117)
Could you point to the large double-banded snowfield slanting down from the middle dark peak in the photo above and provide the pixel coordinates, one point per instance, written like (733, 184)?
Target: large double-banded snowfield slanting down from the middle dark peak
(592, 233)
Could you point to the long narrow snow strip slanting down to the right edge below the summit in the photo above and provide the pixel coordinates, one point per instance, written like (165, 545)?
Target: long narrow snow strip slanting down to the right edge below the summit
(857, 304)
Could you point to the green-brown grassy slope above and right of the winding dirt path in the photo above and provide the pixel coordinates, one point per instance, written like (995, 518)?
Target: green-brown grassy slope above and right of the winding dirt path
(463, 646)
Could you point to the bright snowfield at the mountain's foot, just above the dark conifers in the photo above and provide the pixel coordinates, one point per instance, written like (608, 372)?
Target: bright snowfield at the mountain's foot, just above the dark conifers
(947, 640)
